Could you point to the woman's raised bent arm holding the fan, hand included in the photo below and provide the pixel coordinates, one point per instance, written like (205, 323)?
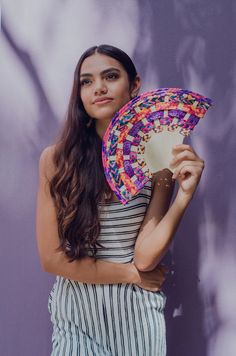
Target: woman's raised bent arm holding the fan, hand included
(160, 224)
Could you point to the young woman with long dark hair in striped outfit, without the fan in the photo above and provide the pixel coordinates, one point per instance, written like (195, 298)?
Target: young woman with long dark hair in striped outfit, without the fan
(106, 299)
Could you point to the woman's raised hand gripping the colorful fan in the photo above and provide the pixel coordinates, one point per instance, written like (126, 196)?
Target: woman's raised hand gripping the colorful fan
(188, 168)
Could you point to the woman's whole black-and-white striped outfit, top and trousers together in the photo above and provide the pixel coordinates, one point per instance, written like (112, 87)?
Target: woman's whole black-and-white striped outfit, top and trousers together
(110, 319)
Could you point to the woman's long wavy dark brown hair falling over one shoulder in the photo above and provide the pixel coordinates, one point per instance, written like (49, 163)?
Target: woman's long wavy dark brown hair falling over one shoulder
(79, 182)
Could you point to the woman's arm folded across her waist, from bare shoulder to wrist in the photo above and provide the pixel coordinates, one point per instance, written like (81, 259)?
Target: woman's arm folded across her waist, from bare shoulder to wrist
(87, 269)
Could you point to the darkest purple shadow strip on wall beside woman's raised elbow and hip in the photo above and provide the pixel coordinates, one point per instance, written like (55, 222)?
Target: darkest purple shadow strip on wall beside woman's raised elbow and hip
(184, 309)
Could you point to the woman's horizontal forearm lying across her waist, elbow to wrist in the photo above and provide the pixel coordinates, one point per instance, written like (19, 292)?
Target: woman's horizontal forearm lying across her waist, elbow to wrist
(91, 270)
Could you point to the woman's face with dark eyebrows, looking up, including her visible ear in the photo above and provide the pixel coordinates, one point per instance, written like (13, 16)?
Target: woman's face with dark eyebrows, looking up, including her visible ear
(104, 86)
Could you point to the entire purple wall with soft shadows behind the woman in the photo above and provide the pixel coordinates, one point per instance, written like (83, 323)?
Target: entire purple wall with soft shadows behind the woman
(180, 43)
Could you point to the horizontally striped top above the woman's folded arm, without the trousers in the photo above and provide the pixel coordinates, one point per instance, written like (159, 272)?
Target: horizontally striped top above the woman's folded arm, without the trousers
(120, 225)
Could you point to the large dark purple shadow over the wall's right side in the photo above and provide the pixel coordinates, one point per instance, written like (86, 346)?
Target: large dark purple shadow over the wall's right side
(189, 48)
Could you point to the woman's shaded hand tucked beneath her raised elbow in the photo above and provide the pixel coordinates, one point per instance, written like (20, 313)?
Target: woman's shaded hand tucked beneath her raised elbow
(151, 280)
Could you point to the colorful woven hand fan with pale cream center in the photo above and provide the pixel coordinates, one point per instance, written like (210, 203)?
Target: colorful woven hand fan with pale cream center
(135, 134)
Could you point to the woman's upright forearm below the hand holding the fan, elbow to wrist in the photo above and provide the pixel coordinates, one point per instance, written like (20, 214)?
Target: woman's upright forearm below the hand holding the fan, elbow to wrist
(154, 246)
